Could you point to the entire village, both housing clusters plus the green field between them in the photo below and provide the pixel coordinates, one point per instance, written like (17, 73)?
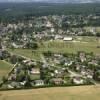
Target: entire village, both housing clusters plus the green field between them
(50, 51)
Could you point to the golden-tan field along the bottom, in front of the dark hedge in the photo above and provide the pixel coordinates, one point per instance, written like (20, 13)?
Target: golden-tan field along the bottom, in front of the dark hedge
(59, 93)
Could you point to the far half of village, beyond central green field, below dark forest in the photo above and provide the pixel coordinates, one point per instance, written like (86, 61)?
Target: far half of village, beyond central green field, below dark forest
(22, 33)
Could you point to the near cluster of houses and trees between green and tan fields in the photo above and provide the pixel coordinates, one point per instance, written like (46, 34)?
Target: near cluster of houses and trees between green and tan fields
(52, 70)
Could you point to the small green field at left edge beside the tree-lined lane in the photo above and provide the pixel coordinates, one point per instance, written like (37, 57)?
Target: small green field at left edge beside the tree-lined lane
(4, 68)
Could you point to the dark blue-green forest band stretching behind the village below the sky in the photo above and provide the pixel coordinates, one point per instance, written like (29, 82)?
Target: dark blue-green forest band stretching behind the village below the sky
(21, 11)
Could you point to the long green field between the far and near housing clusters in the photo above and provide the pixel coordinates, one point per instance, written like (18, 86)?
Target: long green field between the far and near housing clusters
(87, 44)
